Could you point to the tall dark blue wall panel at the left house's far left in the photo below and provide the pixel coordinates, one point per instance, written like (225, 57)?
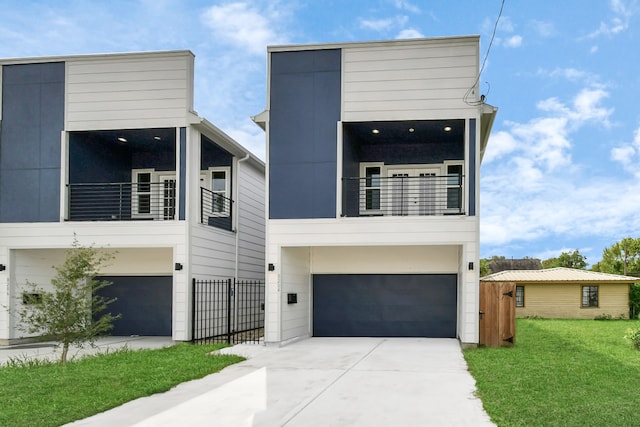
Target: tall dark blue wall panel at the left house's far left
(30, 132)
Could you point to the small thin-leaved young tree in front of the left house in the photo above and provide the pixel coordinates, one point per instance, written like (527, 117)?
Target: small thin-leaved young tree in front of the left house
(71, 313)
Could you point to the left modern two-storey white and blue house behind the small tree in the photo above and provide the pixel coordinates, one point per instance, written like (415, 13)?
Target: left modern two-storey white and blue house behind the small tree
(109, 148)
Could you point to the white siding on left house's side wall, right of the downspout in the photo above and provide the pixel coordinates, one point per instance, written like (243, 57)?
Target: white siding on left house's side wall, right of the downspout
(250, 209)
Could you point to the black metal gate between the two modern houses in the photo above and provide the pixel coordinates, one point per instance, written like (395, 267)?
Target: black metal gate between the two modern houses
(230, 311)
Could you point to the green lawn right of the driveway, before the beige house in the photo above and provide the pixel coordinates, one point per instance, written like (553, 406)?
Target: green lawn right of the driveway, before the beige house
(561, 373)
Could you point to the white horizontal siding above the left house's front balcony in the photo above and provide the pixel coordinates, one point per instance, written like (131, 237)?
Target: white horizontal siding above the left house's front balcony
(129, 91)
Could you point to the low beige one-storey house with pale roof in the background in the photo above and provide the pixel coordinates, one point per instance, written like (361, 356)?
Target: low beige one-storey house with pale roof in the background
(567, 293)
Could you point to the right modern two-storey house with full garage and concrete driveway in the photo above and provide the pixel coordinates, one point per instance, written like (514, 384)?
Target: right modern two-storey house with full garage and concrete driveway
(373, 158)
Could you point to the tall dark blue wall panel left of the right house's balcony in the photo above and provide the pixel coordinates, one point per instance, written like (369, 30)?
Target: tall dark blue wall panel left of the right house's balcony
(304, 112)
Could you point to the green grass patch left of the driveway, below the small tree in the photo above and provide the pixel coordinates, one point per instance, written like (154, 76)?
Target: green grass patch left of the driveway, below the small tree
(51, 395)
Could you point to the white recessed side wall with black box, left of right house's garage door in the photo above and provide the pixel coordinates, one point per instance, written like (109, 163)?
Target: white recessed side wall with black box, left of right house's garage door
(296, 278)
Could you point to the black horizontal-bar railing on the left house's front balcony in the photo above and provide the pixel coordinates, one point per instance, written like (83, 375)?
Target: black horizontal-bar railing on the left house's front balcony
(122, 201)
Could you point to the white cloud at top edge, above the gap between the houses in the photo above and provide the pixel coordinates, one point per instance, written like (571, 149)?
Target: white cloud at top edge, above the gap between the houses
(244, 25)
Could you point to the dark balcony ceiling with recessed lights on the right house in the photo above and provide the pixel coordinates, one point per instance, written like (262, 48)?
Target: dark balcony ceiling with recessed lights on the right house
(424, 131)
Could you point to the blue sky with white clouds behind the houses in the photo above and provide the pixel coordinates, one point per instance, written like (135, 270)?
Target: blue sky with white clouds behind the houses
(561, 169)
